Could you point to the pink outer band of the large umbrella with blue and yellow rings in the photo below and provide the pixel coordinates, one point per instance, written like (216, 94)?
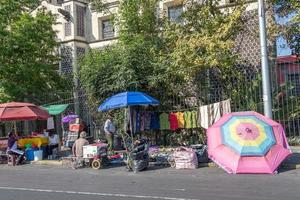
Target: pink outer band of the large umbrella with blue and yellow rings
(231, 162)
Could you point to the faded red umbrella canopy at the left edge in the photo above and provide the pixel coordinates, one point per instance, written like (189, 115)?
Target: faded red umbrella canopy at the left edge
(15, 111)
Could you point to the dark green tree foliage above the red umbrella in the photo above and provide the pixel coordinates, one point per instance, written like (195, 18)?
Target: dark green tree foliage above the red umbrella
(27, 52)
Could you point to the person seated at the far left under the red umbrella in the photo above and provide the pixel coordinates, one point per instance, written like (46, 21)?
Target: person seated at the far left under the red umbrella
(12, 147)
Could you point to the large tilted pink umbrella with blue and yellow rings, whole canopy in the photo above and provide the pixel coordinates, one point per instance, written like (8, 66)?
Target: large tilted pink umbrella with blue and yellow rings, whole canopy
(247, 142)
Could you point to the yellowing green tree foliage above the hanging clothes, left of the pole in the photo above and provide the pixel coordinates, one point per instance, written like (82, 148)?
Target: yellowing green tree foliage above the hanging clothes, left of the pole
(205, 38)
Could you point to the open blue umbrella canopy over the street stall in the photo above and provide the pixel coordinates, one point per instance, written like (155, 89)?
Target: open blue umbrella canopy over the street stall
(126, 99)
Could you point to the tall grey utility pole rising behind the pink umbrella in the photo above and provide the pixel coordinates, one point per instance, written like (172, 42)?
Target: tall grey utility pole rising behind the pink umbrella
(267, 98)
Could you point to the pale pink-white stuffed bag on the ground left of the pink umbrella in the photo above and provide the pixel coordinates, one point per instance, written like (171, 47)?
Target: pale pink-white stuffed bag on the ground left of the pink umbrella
(185, 158)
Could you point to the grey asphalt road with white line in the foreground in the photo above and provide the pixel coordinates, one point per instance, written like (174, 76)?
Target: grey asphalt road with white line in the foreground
(31, 182)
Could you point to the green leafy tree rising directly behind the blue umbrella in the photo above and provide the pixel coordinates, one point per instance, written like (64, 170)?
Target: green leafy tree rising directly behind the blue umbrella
(134, 62)
